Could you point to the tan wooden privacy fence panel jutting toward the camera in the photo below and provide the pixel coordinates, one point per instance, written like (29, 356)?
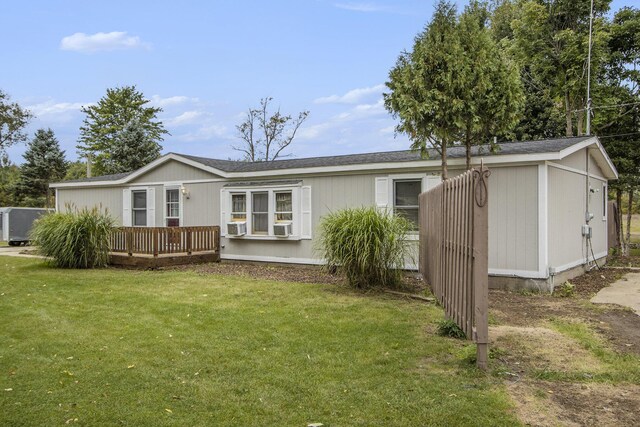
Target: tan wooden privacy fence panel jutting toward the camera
(454, 252)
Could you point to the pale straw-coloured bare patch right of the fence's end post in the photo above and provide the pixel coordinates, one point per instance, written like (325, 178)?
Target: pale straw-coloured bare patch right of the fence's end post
(527, 349)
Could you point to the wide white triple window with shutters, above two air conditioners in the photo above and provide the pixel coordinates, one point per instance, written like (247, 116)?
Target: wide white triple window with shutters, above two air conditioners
(262, 208)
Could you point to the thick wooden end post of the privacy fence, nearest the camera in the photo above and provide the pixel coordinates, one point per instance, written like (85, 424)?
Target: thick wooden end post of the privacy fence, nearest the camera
(480, 265)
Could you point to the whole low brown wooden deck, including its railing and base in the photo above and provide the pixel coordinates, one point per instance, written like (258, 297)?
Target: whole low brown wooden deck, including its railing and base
(152, 247)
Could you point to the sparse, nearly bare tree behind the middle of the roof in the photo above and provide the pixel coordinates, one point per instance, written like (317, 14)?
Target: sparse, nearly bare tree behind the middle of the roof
(266, 135)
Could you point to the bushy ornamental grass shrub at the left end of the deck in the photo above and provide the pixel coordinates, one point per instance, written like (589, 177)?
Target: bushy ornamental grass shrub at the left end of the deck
(75, 239)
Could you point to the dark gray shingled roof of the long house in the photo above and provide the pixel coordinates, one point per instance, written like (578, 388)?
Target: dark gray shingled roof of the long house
(505, 148)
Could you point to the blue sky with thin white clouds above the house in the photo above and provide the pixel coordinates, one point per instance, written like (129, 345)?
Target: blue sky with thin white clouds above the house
(206, 62)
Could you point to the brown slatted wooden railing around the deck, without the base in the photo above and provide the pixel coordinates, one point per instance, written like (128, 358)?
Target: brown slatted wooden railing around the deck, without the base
(165, 240)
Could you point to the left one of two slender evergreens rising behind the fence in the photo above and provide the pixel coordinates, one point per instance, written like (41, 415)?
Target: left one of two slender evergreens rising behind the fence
(425, 94)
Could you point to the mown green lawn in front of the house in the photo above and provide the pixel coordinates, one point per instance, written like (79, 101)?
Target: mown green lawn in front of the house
(115, 347)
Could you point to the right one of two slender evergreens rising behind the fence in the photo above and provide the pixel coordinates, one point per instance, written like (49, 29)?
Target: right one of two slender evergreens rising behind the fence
(491, 83)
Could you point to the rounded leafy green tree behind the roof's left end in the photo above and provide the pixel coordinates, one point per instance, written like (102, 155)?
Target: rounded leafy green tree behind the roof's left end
(104, 126)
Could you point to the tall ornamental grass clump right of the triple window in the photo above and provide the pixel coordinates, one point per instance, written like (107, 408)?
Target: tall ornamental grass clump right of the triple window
(367, 245)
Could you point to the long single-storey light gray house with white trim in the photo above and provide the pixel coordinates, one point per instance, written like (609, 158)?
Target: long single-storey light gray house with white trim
(540, 192)
